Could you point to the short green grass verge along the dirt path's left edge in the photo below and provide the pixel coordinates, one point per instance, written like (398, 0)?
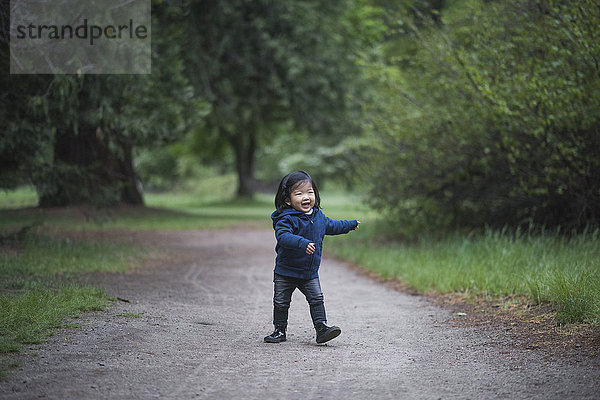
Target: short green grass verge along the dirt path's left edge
(39, 288)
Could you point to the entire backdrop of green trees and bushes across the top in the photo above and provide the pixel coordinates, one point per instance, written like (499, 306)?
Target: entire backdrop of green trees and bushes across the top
(476, 112)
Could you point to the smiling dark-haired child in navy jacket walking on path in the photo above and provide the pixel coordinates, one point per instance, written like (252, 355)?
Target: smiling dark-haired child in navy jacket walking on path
(300, 227)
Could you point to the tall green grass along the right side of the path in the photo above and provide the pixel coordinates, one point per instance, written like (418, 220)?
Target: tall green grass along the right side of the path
(546, 267)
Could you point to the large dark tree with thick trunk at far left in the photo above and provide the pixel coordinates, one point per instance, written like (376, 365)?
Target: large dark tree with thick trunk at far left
(73, 136)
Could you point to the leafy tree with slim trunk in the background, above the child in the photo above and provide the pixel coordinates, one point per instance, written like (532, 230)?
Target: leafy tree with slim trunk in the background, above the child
(269, 68)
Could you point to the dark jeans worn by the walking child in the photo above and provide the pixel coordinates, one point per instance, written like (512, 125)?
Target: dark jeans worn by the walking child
(285, 286)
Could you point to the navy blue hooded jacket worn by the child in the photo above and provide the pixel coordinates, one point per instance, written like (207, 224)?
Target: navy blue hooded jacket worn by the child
(294, 230)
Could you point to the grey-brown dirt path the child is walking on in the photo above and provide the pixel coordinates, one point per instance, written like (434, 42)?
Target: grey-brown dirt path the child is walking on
(206, 308)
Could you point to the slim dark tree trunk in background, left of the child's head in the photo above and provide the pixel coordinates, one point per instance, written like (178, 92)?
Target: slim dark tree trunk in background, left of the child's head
(244, 145)
